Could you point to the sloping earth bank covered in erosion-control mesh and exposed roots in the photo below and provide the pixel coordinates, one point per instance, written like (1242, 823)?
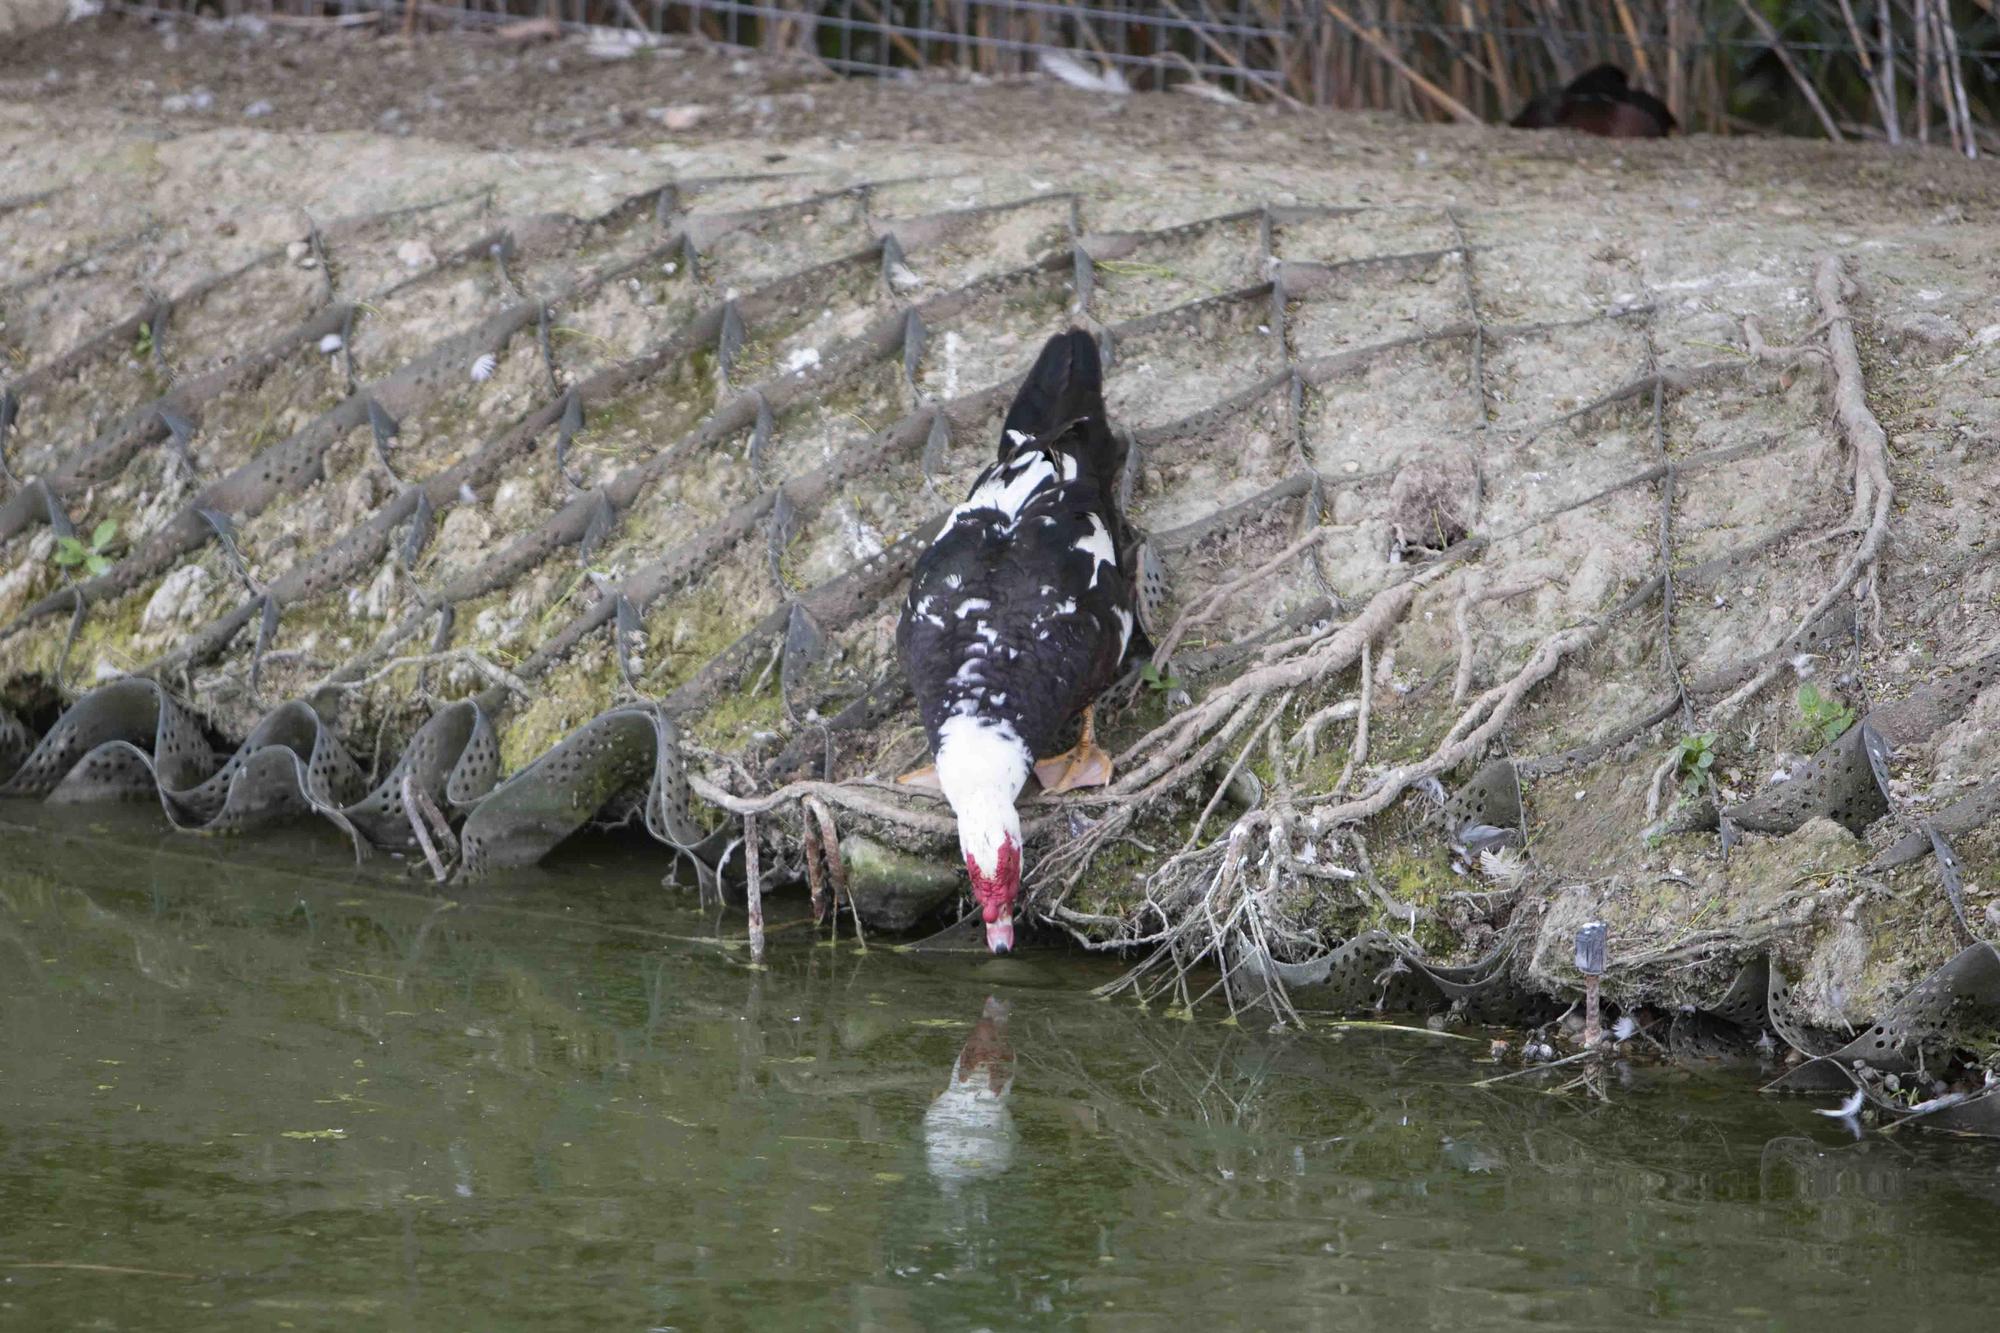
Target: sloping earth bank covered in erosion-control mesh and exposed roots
(1539, 531)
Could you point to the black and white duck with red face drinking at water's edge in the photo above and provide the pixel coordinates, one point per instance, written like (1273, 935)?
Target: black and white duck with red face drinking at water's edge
(1021, 615)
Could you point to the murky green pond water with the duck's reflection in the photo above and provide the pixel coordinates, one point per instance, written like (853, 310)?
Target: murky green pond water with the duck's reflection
(241, 1096)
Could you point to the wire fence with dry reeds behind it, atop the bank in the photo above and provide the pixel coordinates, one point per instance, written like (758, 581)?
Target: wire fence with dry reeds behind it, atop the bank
(1901, 71)
